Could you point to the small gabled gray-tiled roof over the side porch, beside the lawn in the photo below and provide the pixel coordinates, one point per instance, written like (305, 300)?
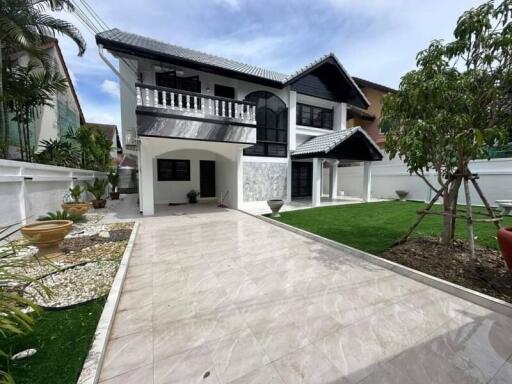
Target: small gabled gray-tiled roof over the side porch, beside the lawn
(348, 144)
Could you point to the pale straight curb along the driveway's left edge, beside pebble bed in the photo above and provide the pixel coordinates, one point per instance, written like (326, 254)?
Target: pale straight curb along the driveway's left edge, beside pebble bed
(92, 366)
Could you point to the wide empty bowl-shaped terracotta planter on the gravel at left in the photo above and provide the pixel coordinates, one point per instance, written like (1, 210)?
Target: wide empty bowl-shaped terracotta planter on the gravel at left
(46, 233)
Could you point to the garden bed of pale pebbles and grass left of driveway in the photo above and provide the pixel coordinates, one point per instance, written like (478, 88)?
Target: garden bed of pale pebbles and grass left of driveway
(79, 274)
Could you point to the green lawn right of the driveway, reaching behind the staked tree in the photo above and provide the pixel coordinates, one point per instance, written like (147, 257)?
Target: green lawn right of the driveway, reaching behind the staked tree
(374, 227)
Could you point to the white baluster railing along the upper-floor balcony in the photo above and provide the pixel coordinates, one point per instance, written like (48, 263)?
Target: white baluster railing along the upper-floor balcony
(195, 104)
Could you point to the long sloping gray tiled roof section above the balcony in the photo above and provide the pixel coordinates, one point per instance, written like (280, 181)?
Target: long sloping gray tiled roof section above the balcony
(131, 39)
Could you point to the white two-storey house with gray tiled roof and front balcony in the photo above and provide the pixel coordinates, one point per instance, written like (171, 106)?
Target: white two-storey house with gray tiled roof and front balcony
(235, 132)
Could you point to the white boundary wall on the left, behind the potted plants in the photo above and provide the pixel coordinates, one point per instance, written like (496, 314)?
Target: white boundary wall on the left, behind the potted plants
(28, 190)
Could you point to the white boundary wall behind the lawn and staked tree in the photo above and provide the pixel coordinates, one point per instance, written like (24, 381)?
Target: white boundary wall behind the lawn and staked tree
(391, 175)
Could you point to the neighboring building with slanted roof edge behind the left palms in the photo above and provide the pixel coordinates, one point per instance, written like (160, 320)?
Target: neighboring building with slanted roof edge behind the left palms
(51, 122)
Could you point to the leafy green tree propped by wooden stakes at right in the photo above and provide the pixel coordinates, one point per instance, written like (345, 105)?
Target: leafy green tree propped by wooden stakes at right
(455, 105)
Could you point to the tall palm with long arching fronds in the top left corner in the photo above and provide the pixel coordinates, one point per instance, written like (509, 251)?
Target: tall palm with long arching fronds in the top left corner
(25, 26)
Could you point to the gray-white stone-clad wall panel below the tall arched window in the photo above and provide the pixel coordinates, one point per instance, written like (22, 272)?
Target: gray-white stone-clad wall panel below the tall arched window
(263, 181)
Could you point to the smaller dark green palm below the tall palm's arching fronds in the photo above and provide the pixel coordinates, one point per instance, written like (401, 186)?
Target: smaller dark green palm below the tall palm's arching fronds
(28, 89)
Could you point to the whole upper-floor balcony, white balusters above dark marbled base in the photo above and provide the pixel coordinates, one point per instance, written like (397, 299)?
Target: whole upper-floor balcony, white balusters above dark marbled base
(174, 113)
